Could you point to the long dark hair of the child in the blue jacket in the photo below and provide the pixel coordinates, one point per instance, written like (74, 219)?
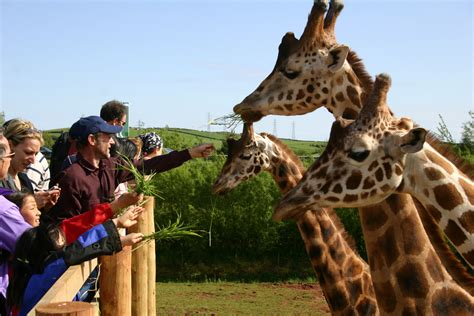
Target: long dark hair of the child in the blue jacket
(35, 247)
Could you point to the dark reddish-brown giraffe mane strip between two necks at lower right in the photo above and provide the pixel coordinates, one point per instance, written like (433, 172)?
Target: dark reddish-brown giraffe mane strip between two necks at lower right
(455, 268)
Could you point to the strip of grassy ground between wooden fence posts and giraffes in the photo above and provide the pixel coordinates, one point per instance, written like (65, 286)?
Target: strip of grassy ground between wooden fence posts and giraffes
(226, 298)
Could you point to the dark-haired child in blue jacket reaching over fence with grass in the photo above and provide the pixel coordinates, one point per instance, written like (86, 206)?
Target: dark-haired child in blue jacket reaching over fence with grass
(41, 256)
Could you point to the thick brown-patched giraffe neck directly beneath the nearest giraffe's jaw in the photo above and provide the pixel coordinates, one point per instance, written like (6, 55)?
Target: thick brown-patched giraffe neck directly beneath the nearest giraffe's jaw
(407, 274)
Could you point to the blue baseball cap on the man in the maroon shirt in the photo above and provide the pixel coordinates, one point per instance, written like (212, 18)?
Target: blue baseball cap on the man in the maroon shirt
(92, 125)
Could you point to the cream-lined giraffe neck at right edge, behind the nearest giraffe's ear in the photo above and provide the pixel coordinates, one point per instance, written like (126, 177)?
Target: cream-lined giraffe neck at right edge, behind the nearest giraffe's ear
(446, 193)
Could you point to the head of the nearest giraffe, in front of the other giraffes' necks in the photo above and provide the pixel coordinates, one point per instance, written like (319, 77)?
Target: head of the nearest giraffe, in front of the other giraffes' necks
(363, 162)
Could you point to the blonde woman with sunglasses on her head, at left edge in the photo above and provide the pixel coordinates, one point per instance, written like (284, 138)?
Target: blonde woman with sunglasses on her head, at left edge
(25, 141)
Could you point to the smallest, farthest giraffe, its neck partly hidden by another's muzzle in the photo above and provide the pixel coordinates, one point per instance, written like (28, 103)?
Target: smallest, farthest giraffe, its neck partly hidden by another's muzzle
(343, 276)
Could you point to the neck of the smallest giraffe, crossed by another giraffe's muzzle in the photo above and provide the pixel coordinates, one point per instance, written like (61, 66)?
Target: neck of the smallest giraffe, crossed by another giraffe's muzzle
(343, 276)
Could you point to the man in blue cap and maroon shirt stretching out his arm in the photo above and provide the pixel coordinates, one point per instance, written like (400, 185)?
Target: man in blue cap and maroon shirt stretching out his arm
(94, 177)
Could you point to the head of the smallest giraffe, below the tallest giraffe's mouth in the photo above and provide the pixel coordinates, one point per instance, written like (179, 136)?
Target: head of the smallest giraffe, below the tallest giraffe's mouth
(246, 158)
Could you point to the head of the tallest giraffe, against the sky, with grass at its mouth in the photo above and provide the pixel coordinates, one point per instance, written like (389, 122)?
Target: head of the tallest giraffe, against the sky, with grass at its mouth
(309, 73)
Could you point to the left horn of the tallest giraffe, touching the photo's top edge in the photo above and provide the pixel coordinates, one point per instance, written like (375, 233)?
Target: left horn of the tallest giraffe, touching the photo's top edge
(314, 30)
